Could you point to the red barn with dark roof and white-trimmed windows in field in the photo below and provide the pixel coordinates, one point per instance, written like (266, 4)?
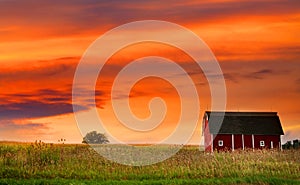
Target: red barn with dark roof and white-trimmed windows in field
(241, 130)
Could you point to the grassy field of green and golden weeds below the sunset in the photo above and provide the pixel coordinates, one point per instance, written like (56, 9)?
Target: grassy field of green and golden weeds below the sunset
(40, 163)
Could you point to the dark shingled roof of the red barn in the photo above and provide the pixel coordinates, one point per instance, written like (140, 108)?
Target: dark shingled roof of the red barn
(259, 123)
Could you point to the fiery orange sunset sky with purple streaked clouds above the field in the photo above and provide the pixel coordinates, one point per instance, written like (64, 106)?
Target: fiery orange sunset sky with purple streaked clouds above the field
(256, 43)
